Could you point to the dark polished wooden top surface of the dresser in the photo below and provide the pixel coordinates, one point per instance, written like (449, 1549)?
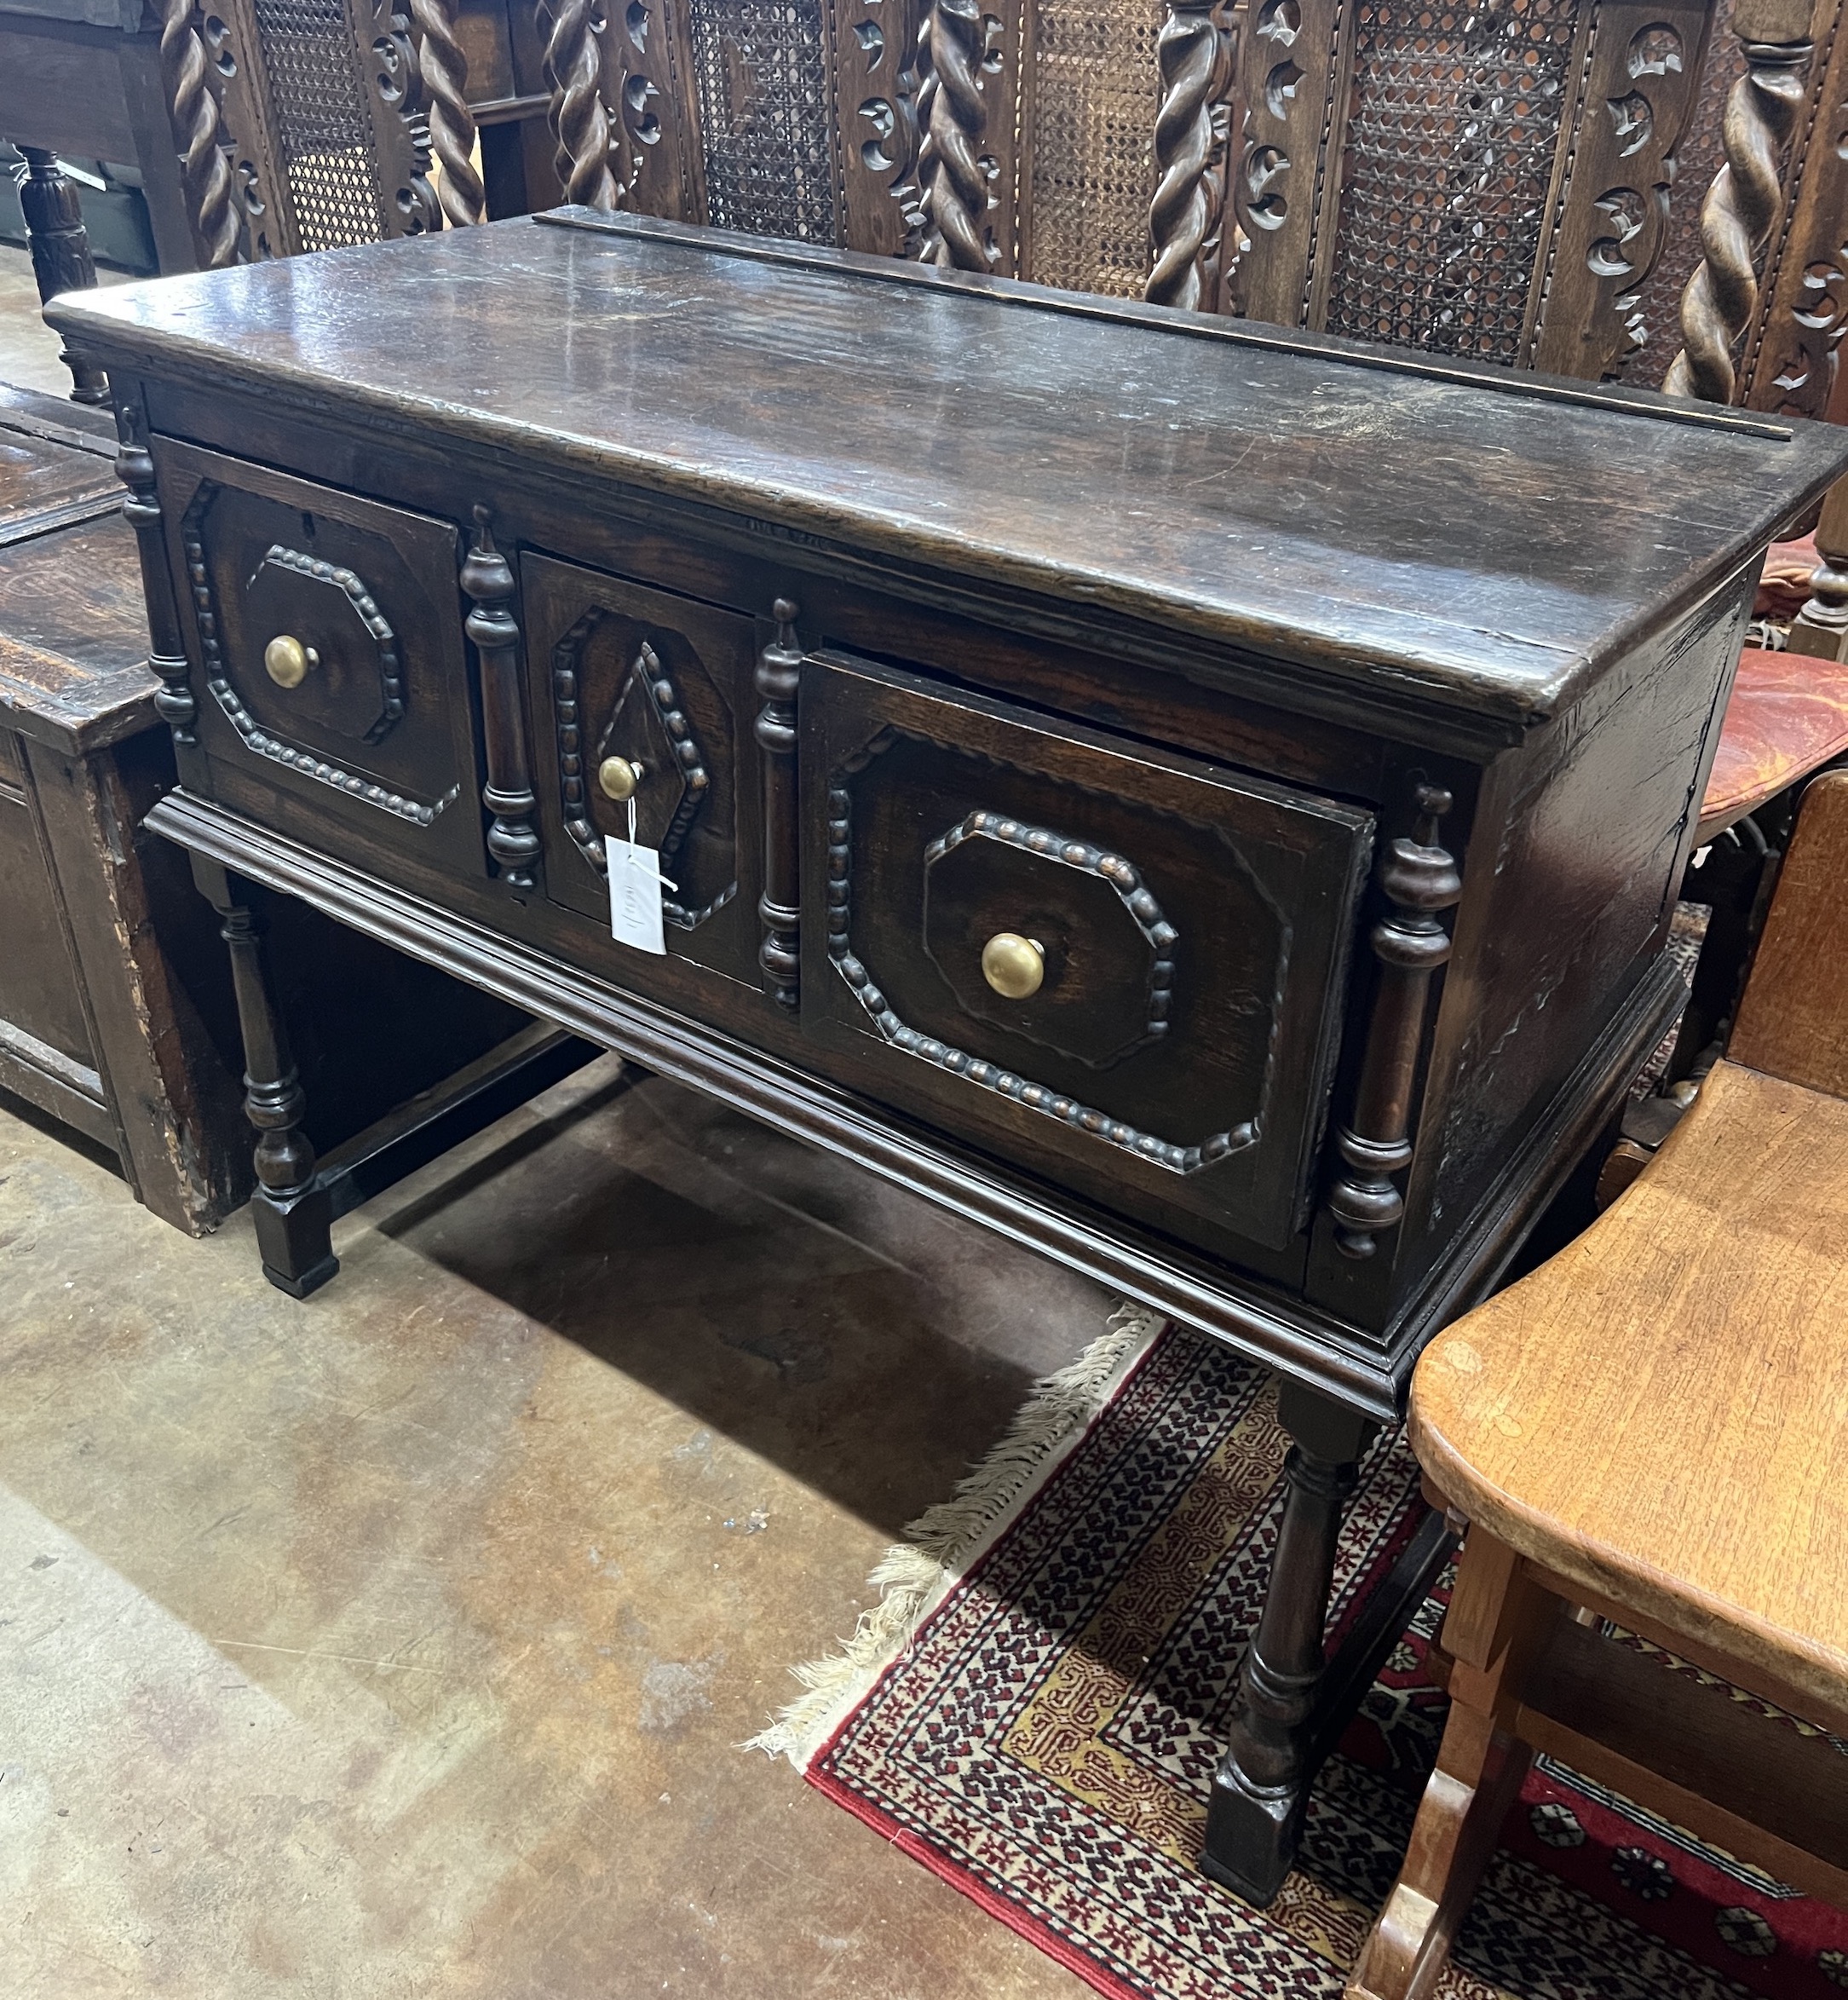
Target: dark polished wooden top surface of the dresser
(1475, 537)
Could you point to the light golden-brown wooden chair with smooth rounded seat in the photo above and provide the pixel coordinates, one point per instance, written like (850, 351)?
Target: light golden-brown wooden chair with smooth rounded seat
(1651, 1431)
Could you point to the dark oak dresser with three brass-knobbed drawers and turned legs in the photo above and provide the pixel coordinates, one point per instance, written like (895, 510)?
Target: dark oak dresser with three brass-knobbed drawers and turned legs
(1201, 801)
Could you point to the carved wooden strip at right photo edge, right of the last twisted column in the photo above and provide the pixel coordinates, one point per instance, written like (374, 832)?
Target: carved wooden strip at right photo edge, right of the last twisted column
(1793, 363)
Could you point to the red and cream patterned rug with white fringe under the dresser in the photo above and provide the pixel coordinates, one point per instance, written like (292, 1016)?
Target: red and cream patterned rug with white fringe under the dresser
(1047, 1735)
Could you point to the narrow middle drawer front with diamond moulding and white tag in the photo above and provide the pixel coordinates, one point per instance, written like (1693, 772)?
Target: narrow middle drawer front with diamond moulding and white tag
(661, 689)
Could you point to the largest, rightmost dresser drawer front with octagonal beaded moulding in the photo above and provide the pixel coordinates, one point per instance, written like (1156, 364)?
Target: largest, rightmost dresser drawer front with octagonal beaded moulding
(1099, 959)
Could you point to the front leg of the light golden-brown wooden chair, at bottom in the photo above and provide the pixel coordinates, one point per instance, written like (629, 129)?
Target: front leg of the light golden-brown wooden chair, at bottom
(1495, 1627)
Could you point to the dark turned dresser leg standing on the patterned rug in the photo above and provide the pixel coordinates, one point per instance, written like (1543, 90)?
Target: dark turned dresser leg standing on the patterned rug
(1261, 1793)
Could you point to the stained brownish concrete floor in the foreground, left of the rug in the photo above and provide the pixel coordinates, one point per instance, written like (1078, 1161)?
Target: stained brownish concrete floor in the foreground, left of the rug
(401, 1643)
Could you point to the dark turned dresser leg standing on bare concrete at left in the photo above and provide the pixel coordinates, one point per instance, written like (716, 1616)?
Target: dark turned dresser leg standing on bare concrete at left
(293, 1211)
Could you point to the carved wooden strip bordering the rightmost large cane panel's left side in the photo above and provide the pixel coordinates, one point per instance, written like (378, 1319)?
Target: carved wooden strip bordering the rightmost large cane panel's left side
(1289, 59)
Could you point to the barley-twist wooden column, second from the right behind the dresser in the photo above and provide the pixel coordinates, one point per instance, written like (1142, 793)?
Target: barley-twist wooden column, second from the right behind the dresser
(1185, 217)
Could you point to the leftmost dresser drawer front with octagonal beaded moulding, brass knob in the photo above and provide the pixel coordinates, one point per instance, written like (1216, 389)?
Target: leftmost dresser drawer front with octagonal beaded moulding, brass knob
(329, 637)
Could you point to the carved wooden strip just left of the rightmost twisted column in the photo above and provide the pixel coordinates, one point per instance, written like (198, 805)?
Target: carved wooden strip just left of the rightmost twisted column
(1617, 205)
